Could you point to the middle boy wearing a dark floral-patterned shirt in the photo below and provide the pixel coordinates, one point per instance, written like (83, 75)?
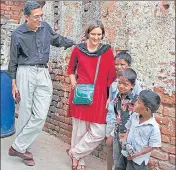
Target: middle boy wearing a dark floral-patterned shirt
(122, 105)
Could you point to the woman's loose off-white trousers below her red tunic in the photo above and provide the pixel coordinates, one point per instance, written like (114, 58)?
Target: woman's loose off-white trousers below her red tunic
(86, 136)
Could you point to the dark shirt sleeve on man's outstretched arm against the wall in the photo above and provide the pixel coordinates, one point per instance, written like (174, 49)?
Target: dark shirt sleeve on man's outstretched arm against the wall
(59, 41)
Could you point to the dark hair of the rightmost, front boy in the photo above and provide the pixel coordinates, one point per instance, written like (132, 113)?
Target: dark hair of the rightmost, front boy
(150, 99)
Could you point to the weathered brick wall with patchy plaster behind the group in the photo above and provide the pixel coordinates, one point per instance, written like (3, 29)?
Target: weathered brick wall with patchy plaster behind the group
(147, 30)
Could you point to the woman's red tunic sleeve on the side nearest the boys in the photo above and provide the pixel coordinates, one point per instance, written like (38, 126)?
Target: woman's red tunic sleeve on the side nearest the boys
(112, 71)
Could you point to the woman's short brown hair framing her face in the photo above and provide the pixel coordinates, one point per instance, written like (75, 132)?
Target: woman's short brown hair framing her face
(93, 25)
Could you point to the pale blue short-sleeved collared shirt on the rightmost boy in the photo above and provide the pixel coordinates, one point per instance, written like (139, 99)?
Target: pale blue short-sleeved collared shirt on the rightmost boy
(146, 134)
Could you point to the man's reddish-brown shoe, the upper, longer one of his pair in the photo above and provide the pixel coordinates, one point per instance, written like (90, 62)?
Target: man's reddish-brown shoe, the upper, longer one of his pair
(25, 156)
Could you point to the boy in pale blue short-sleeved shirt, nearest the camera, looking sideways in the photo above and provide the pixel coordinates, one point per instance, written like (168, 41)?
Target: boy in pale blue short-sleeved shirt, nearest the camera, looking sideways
(143, 133)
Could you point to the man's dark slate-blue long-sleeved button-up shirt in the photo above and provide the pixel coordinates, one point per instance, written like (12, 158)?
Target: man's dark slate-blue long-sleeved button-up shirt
(30, 48)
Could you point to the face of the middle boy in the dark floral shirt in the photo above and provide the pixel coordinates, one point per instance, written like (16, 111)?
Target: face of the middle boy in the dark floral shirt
(124, 85)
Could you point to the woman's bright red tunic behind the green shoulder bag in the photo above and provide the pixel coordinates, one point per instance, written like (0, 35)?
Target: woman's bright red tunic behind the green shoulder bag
(86, 67)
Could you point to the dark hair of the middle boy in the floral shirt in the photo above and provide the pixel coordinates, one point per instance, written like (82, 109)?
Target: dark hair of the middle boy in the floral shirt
(130, 74)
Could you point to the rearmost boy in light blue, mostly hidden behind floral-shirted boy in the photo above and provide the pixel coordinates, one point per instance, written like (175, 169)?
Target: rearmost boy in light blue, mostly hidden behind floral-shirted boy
(123, 61)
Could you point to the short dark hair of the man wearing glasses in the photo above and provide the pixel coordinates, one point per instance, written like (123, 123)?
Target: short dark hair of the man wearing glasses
(29, 6)
